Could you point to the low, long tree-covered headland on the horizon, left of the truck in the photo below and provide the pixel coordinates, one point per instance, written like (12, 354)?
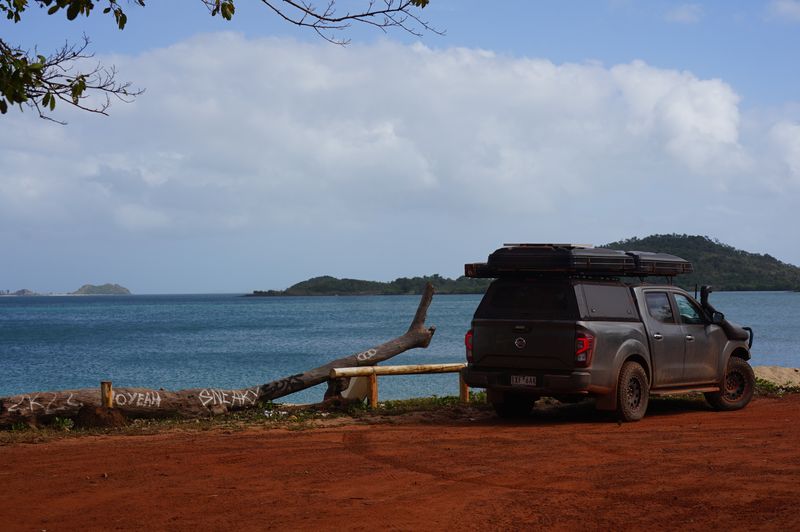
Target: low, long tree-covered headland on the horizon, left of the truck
(330, 286)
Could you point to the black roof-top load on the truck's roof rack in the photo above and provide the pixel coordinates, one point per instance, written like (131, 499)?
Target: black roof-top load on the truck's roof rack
(576, 259)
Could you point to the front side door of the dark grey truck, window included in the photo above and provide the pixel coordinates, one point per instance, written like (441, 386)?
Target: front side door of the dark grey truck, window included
(702, 353)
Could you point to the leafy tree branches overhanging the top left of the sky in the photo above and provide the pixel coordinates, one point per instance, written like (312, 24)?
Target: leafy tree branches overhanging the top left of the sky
(39, 82)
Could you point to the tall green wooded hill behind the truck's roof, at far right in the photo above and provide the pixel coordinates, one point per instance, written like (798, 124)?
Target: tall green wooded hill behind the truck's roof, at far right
(718, 264)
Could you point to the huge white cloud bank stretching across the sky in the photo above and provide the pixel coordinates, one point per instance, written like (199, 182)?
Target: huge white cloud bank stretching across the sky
(247, 130)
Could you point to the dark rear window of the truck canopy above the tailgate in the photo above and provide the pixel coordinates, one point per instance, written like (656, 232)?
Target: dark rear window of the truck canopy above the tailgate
(538, 300)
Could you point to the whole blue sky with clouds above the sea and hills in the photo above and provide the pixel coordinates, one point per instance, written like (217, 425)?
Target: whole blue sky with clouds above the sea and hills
(261, 155)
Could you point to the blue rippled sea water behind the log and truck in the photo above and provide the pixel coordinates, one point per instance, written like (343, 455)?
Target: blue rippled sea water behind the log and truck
(227, 341)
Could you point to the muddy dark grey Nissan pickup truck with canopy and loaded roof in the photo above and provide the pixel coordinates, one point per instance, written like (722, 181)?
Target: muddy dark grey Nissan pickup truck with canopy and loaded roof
(572, 322)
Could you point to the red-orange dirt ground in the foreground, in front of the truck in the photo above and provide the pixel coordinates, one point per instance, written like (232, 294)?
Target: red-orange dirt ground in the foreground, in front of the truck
(681, 467)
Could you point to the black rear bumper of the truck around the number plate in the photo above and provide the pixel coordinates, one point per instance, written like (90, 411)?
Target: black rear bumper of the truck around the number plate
(546, 382)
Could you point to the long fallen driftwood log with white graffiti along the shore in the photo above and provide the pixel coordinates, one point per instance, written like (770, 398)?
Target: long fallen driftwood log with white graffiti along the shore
(34, 408)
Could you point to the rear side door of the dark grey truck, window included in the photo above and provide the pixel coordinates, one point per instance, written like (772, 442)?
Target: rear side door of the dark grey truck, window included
(666, 339)
